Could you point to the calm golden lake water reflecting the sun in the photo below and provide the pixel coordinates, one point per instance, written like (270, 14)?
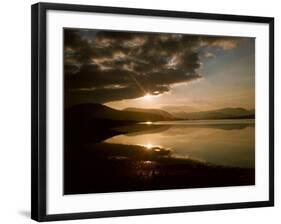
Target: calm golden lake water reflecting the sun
(220, 142)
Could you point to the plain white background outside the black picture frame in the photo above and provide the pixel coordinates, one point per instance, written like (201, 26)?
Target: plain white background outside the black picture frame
(15, 110)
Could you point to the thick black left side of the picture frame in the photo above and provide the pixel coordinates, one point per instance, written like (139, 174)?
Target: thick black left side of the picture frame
(38, 112)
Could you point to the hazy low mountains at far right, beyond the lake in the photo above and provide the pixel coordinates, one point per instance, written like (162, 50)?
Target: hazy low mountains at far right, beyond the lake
(224, 113)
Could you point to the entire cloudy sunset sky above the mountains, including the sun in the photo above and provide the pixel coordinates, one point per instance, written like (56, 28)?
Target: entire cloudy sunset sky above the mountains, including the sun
(176, 72)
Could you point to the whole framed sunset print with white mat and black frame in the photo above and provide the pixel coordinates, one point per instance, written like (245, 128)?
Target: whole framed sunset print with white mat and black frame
(138, 111)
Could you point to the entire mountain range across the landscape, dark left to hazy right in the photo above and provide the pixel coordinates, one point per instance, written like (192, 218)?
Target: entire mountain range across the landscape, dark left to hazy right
(101, 112)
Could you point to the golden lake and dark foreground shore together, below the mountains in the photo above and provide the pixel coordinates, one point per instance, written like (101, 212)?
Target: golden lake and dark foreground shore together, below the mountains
(155, 156)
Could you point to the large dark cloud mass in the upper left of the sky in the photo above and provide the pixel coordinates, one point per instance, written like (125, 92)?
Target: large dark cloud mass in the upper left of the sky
(104, 66)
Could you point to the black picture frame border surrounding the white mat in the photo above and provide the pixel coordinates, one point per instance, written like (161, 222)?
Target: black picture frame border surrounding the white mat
(39, 123)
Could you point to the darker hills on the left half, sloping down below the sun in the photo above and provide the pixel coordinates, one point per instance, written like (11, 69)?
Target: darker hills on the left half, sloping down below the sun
(100, 112)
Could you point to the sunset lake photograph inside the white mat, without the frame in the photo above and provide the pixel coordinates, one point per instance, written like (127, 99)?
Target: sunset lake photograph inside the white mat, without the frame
(147, 111)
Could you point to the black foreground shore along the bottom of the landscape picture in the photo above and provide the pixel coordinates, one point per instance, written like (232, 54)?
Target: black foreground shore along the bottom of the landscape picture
(103, 167)
